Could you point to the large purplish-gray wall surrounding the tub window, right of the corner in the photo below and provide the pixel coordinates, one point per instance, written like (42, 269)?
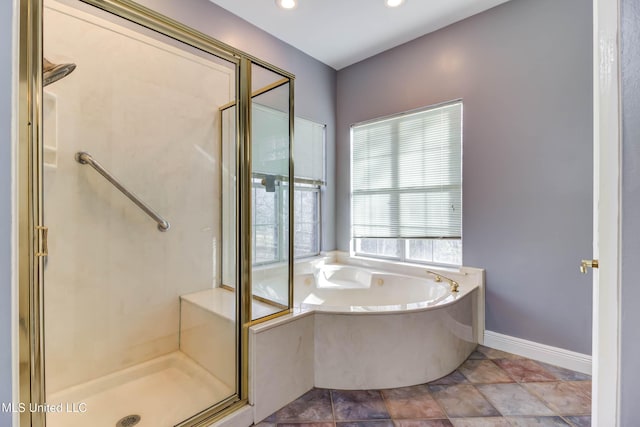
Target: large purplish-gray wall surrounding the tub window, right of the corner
(523, 70)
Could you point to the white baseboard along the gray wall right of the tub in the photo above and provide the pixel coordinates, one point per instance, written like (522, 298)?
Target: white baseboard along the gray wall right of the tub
(544, 353)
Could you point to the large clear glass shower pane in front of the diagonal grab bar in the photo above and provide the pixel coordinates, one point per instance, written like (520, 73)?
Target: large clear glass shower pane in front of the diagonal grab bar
(136, 322)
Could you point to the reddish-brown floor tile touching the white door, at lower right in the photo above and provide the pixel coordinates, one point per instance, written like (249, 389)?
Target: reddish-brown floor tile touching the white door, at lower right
(565, 398)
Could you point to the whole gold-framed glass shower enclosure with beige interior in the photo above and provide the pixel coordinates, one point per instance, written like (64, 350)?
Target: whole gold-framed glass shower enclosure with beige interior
(145, 142)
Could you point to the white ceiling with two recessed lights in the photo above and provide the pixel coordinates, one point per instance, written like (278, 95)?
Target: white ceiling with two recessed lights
(343, 32)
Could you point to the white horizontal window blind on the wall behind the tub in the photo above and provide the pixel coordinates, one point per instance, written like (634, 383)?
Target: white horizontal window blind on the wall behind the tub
(406, 175)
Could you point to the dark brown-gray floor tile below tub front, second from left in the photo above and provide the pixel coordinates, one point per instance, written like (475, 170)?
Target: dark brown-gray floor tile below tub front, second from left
(358, 405)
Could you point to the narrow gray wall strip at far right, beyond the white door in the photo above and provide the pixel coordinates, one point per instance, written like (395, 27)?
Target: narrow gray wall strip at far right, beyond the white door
(630, 315)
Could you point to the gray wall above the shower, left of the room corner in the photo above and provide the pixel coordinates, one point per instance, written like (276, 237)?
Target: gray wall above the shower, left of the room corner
(314, 85)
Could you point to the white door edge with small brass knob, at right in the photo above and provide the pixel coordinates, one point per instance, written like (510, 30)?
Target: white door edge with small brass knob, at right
(606, 216)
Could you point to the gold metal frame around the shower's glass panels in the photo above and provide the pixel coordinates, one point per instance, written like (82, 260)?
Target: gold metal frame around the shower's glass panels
(32, 231)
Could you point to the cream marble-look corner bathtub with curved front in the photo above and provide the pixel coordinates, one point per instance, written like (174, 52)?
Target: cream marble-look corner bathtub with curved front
(378, 329)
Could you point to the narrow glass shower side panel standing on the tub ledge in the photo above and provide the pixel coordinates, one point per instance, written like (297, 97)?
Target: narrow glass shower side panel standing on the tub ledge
(270, 145)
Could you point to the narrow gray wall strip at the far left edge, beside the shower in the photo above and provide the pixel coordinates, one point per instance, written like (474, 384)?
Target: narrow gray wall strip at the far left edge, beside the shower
(6, 44)
